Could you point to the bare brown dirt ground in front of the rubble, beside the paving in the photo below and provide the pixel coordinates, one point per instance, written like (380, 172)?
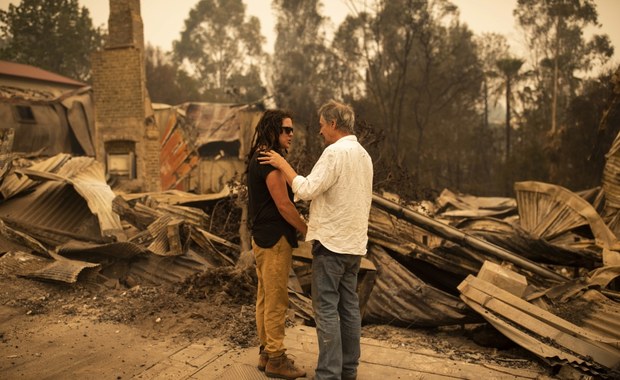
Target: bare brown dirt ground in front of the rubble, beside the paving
(72, 326)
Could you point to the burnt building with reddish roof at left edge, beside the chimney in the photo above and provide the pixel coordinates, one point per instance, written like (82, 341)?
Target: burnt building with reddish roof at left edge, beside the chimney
(43, 113)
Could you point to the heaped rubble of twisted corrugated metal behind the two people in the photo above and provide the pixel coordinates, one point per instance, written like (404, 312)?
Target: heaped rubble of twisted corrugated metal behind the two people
(540, 268)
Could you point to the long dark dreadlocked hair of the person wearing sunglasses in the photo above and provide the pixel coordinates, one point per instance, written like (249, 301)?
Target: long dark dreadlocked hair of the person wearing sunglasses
(267, 132)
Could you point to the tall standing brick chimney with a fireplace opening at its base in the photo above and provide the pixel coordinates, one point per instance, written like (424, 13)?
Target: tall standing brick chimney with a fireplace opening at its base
(127, 138)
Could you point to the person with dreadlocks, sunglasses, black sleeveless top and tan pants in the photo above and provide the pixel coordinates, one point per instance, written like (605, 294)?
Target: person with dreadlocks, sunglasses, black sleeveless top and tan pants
(273, 219)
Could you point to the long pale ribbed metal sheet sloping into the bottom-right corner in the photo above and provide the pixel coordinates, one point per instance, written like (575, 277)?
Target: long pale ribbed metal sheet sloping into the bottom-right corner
(544, 332)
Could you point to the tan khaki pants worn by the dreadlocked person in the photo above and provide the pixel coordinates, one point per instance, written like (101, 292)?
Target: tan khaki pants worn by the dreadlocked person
(272, 268)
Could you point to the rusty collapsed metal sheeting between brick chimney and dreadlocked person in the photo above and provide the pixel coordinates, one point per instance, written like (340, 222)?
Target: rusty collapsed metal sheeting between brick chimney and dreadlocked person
(195, 138)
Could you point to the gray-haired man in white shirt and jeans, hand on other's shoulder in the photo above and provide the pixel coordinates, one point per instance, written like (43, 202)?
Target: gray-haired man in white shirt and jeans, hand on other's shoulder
(340, 188)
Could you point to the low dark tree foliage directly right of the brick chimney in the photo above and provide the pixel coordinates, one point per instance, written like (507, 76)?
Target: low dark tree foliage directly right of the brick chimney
(165, 82)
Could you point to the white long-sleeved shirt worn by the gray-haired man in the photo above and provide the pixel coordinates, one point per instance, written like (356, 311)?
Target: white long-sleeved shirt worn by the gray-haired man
(340, 188)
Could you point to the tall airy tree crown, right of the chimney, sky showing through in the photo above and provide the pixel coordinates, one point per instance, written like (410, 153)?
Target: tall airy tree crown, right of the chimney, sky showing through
(222, 50)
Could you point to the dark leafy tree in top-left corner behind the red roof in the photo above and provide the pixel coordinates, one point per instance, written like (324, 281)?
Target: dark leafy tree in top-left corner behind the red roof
(55, 35)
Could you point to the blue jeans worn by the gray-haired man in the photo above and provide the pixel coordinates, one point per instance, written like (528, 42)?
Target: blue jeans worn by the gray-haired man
(336, 312)
